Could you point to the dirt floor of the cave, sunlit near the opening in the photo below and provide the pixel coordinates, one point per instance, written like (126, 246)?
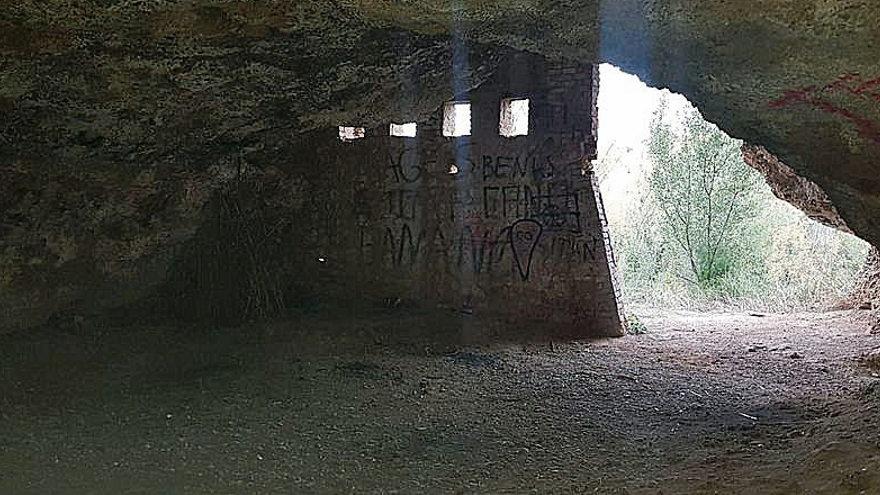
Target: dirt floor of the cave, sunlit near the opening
(396, 402)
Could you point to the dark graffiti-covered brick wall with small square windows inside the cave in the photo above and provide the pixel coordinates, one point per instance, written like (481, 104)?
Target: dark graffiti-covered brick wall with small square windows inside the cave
(516, 232)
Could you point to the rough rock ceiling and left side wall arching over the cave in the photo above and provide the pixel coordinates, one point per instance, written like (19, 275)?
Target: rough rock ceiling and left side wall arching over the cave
(122, 118)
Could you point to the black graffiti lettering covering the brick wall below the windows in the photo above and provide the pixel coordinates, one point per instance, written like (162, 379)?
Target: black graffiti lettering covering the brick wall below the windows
(497, 214)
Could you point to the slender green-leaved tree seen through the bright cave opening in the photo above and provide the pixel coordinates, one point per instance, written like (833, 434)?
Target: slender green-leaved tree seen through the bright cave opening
(706, 196)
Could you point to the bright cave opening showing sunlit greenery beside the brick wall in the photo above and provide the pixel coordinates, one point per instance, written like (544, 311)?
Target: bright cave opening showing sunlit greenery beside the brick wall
(693, 226)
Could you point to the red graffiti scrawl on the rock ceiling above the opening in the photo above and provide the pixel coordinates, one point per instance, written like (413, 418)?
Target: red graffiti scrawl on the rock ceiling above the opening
(847, 85)
